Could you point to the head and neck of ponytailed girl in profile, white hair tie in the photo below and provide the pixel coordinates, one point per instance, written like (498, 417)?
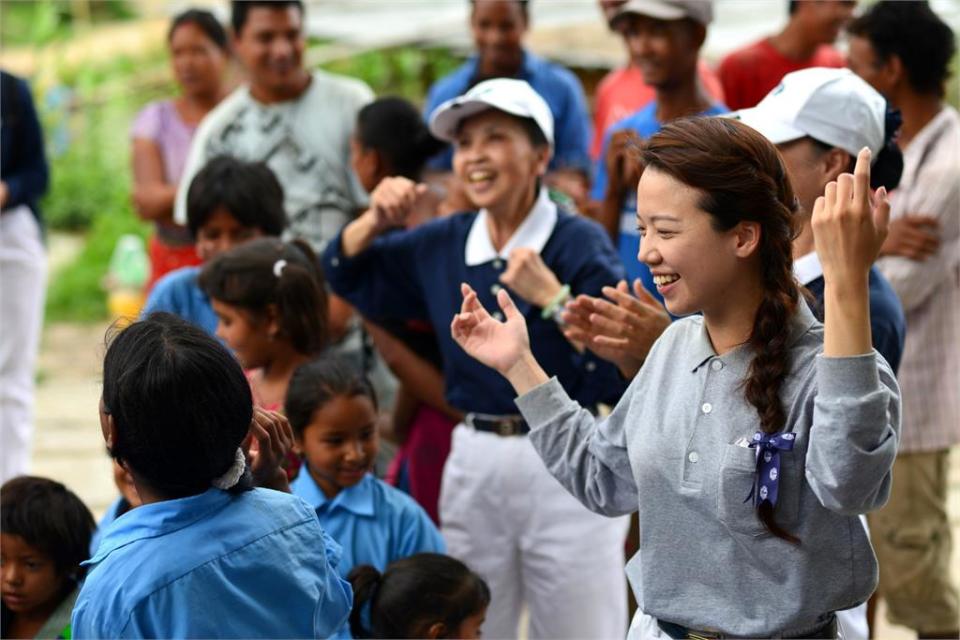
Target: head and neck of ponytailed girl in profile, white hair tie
(271, 302)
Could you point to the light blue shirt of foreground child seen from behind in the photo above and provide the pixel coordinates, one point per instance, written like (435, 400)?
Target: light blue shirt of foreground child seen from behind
(215, 565)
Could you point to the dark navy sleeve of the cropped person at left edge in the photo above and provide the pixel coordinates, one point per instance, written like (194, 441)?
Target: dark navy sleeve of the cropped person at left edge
(27, 175)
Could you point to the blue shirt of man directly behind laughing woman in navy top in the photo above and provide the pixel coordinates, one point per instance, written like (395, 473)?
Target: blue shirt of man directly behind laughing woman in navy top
(559, 88)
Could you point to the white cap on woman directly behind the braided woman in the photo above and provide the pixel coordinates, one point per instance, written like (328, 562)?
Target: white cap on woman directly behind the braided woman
(834, 106)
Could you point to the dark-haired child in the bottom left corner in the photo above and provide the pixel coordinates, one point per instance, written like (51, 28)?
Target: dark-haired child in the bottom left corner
(45, 537)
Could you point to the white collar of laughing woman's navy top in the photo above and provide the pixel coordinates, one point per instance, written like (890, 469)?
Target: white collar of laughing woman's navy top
(532, 233)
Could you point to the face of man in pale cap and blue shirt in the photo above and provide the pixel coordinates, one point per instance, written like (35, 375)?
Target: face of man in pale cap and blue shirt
(665, 51)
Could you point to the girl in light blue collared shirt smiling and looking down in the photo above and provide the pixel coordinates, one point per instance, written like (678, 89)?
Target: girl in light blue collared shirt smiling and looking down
(333, 411)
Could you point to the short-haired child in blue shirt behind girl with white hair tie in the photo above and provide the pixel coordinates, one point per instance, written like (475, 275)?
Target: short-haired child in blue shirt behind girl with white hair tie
(229, 202)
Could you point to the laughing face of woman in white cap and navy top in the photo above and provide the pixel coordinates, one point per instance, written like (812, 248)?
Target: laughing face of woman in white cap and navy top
(496, 161)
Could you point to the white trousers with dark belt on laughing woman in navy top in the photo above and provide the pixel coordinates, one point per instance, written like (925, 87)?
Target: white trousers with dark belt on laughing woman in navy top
(509, 520)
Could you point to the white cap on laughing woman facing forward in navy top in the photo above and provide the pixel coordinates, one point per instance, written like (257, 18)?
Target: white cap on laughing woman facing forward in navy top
(515, 97)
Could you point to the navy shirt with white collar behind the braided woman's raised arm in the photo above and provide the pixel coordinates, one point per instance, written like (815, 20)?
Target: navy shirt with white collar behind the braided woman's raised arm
(888, 324)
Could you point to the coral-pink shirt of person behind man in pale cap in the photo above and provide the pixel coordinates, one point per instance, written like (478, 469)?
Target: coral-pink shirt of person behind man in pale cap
(622, 92)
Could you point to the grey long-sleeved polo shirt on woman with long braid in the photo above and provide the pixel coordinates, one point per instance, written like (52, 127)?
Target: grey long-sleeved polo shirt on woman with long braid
(674, 449)
